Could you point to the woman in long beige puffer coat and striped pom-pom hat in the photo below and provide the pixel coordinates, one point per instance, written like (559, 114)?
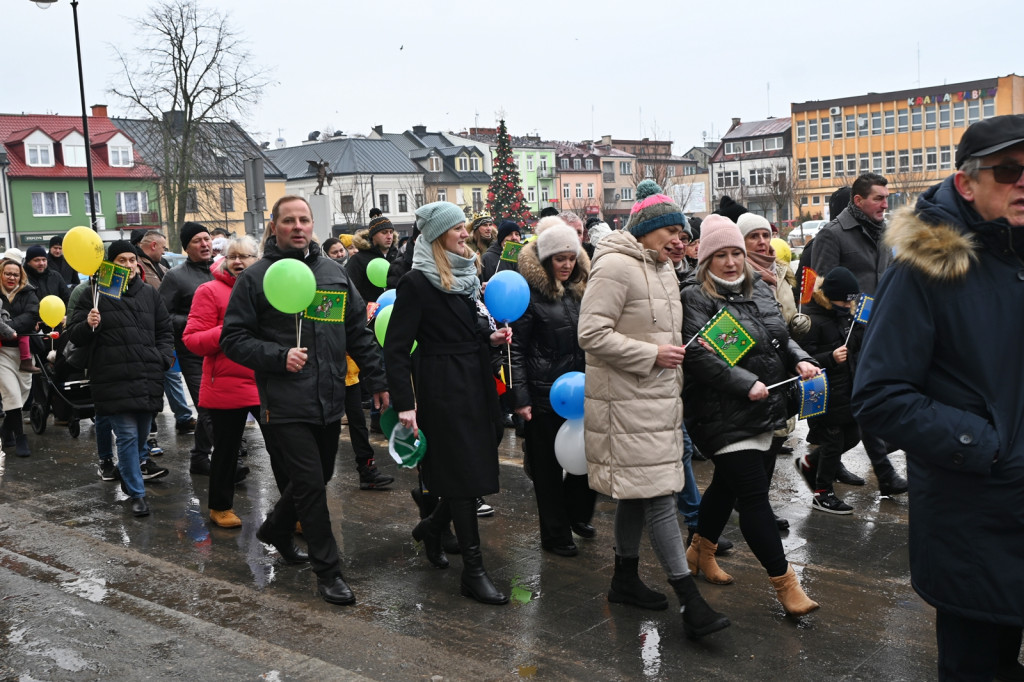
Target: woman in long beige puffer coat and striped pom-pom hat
(631, 322)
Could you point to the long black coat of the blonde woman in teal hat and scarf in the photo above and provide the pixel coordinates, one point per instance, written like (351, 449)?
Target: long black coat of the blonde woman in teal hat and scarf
(456, 398)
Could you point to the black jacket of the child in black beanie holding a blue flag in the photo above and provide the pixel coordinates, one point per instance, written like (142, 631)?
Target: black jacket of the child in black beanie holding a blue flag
(829, 329)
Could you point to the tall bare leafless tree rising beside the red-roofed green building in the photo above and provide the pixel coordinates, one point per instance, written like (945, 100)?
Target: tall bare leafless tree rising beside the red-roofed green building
(192, 68)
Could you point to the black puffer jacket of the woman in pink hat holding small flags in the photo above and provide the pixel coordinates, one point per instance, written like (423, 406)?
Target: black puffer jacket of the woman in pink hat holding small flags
(718, 412)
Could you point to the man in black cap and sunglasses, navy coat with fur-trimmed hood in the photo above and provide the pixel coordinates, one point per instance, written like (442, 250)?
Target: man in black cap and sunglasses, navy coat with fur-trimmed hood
(941, 376)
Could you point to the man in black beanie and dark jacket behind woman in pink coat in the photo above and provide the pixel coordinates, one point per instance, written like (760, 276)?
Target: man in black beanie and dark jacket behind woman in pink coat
(177, 290)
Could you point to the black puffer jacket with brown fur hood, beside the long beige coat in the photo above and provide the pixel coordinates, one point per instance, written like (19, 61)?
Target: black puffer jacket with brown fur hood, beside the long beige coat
(545, 345)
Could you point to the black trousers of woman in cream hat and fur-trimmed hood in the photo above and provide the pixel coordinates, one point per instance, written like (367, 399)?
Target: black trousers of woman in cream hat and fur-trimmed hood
(561, 501)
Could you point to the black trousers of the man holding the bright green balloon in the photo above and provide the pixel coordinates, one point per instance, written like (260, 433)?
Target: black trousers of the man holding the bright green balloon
(307, 453)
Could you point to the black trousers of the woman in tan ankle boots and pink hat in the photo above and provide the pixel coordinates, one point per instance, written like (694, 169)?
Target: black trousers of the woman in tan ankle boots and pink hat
(741, 481)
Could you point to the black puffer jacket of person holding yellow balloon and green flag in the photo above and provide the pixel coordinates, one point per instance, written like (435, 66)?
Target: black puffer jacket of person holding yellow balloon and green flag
(130, 352)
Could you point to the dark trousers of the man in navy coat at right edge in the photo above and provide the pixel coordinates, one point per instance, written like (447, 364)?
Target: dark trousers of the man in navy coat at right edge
(972, 651)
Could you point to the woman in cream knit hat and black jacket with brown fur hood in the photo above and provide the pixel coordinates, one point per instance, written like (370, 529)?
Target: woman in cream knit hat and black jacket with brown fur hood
(545, 348)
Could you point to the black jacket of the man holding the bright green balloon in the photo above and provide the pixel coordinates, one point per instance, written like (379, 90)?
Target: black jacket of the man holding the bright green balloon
(259, 336)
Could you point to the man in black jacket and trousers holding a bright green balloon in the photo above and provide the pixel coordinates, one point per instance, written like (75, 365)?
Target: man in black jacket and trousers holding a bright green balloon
(303, 389)
